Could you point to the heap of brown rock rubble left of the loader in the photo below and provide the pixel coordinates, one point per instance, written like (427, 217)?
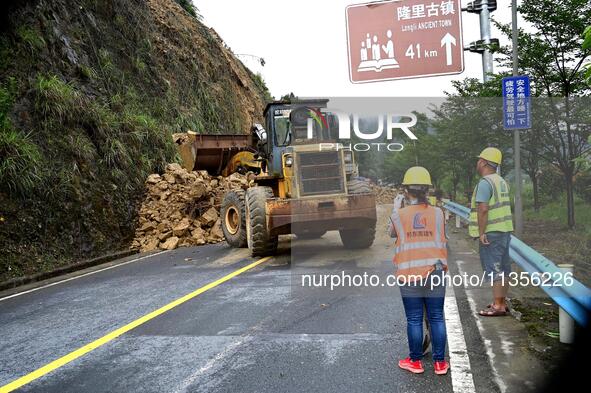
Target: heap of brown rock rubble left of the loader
(181, 208)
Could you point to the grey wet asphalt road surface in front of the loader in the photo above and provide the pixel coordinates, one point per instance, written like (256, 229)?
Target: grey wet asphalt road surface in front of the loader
(259, 332)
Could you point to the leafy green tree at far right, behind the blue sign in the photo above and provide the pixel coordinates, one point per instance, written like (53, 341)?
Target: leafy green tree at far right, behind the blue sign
(553, 54)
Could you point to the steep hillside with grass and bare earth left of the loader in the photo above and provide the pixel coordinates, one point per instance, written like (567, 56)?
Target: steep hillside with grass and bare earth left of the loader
(90, 93)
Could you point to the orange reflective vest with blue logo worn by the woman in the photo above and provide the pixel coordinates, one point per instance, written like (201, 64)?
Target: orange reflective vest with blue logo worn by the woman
(420, 240)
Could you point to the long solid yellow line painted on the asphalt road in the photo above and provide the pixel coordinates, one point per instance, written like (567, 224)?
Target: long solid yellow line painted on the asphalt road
(17, 383)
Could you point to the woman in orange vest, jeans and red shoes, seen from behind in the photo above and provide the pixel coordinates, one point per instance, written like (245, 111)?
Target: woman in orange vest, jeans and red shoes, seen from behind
(421, 262)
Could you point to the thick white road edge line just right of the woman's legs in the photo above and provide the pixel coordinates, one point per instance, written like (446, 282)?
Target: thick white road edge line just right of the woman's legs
(461, 375)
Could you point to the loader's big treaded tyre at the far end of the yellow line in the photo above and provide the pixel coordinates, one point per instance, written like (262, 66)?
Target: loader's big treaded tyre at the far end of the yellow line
(260, 241)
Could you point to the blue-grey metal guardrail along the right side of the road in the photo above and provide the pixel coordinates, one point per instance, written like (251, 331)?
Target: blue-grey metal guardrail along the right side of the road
(575, 299)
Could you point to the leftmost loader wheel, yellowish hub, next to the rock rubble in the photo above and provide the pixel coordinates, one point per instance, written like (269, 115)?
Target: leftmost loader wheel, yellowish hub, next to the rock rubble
(233, 213)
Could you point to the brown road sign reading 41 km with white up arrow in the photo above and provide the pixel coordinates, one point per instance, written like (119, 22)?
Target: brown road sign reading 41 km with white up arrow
(404, 39)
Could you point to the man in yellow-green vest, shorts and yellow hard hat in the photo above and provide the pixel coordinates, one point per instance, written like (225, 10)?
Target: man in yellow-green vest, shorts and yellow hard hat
(491, 222)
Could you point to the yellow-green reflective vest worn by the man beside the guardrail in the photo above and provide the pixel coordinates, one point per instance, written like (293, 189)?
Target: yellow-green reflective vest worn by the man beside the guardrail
(499, 208)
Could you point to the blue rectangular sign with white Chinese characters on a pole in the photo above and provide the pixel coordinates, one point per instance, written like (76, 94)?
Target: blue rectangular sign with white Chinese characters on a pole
(516, 103)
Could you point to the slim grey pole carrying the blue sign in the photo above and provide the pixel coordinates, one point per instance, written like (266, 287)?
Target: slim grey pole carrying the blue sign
(516, 136)
